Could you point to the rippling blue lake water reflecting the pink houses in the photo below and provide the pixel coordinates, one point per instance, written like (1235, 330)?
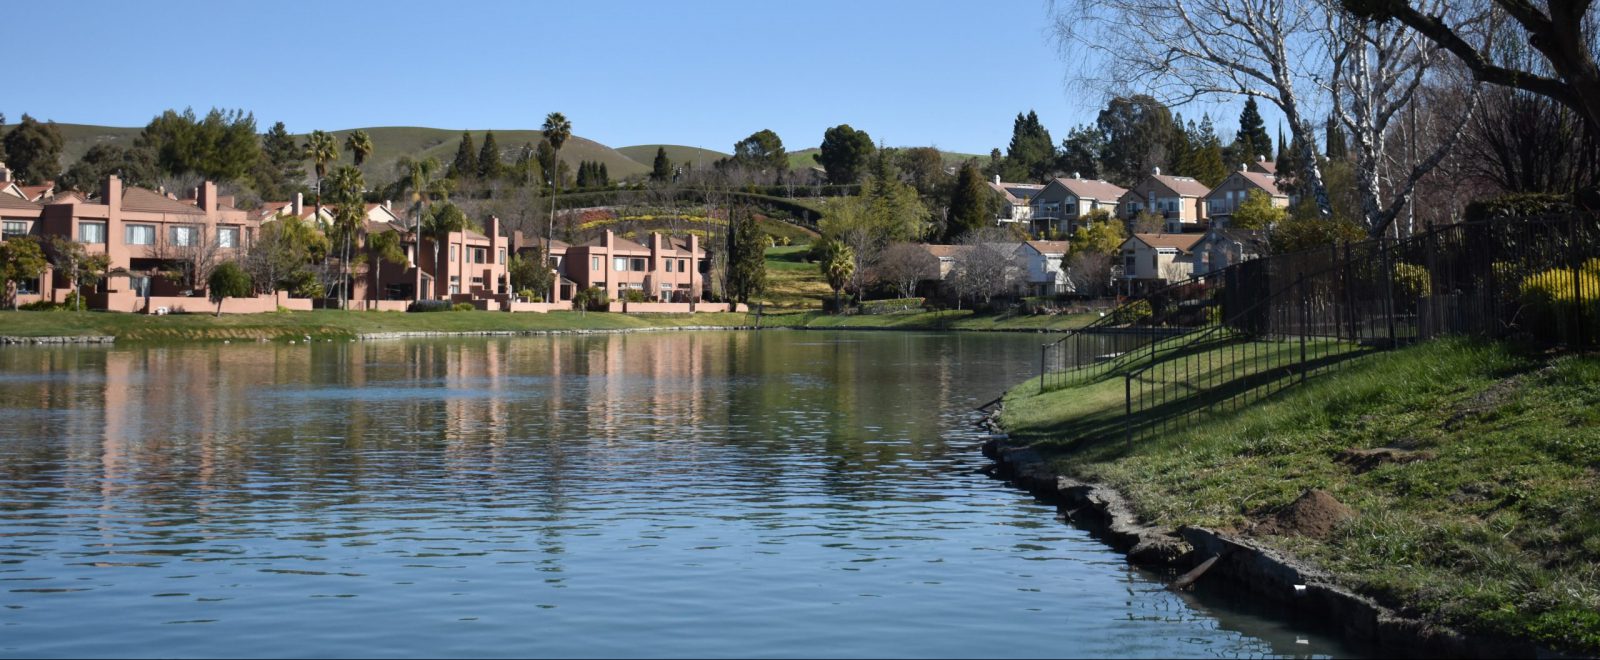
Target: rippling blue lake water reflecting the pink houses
(756, 494)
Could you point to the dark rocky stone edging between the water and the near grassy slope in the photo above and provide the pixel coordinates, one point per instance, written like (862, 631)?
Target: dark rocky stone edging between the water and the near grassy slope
(1246, 566)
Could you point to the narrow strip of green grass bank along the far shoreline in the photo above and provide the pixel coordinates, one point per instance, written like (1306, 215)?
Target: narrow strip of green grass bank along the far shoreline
(348, 324)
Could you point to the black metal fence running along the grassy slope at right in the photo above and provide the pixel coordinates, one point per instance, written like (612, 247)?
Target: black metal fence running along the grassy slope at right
(1247, 332)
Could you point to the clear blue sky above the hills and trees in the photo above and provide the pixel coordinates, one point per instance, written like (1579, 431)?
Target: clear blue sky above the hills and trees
(953, 74)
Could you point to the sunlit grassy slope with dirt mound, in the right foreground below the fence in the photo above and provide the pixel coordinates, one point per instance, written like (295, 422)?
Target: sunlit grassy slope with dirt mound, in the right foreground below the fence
(1471, 469)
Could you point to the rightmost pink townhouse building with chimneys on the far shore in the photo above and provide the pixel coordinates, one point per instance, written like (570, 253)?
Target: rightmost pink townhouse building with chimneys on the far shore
(668, 270)
